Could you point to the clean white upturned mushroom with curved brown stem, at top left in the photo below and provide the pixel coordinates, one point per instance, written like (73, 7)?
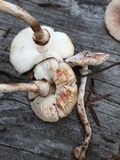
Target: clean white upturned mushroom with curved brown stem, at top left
(25, 52)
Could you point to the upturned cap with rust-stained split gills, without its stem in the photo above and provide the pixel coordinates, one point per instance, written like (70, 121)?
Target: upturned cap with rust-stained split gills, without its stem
(61, 103)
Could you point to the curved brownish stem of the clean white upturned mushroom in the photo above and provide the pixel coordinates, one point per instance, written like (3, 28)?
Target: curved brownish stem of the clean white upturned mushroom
(41, 37)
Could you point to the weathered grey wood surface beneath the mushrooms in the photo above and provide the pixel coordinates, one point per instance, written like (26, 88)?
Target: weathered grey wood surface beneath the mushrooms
(26, 136)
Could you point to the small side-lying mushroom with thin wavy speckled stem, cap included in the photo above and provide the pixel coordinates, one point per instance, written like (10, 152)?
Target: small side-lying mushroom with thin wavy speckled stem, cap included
(84, 59)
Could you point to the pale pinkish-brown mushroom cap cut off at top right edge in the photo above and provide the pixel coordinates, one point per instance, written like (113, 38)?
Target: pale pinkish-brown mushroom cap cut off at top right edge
(112, 18)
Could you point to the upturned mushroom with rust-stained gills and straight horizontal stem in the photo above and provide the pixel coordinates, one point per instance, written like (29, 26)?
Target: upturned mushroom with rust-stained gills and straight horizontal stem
(55, 90)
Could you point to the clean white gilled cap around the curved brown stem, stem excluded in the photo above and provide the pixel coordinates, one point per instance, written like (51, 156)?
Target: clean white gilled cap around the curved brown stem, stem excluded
(25, 53)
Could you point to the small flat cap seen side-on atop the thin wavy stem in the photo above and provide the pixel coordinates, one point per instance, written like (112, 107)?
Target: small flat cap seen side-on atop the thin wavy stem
(87, 58)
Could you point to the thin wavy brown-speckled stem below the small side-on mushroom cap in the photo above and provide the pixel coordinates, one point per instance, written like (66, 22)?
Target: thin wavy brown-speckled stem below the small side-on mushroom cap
(80, 150)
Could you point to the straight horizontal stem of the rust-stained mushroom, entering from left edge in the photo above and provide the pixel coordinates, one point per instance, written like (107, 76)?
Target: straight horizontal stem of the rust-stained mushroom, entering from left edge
(41, 87)
